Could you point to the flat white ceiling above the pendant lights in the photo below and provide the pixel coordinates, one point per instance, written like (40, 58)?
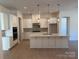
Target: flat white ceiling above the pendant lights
(32, 5)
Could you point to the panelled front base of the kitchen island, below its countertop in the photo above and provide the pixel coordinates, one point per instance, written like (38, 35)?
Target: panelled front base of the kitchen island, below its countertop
(49, 42)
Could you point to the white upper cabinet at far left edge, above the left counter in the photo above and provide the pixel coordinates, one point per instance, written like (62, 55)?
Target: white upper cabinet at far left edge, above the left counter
(4, 21)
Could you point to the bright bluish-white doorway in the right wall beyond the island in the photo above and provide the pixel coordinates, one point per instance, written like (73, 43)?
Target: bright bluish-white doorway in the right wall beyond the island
(64, 26)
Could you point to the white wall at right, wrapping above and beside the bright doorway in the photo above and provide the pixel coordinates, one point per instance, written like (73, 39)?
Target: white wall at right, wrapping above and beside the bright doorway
(73, 14)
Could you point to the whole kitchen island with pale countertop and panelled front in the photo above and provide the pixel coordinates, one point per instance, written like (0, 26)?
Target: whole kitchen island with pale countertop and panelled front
(43, 40)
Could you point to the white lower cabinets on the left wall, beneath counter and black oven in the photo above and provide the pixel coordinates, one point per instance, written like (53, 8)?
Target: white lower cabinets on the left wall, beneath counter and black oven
(7, 43)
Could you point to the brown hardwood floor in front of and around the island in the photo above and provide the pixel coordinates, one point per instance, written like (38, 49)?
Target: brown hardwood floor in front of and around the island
(22, 51)
